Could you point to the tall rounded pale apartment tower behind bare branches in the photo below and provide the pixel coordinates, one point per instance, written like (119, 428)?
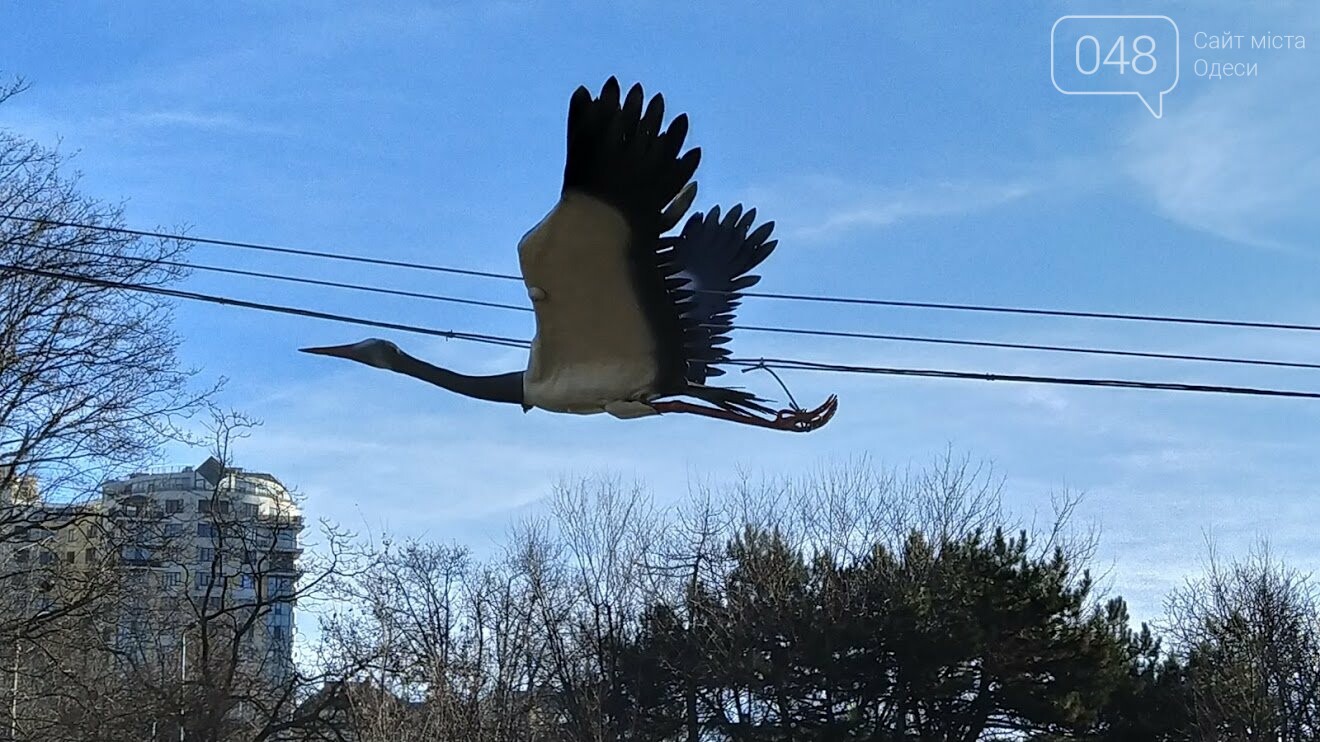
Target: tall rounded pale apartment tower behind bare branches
(207, 549)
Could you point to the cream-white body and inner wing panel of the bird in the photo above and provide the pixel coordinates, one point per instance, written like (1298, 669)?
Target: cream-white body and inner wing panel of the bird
(595, 351)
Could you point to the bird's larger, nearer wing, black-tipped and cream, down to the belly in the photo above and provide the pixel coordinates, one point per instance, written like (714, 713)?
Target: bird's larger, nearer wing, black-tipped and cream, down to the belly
(592, 266)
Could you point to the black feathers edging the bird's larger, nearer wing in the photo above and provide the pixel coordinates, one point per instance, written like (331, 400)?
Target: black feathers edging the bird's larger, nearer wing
(618, 154)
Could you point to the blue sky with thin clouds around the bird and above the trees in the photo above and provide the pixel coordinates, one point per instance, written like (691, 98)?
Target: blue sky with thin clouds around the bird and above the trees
(917, 154)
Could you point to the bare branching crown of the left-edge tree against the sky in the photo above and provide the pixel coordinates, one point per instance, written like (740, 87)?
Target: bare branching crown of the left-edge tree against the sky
(89, 376)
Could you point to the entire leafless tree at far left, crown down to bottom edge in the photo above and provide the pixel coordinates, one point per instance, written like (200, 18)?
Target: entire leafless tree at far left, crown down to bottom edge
(90, 386)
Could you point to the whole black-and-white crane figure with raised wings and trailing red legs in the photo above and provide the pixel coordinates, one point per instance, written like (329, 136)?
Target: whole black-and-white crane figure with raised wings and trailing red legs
(626, 319)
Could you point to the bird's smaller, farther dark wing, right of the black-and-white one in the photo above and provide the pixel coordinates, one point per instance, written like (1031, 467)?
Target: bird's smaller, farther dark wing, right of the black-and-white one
(707, 267)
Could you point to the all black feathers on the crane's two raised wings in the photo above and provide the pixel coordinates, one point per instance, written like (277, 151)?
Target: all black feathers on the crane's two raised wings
(687, 285)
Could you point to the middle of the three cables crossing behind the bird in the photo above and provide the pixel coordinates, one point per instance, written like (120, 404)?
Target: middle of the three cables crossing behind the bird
(960, 343)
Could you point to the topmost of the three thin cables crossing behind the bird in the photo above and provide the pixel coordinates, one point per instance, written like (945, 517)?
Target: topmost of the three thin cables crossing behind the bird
(822, 299)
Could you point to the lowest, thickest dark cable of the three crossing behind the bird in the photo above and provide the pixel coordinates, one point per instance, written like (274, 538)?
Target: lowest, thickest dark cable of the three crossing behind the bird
(779, 364)
